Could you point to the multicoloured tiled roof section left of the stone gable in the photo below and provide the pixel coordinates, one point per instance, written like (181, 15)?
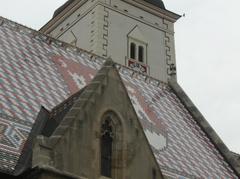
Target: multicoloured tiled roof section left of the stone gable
(34, 72)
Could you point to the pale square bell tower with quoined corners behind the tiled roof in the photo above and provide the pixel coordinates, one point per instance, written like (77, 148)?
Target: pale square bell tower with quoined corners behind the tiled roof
(135, 33)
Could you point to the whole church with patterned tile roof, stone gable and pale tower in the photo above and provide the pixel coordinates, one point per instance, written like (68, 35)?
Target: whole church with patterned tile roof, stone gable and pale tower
(94, 94)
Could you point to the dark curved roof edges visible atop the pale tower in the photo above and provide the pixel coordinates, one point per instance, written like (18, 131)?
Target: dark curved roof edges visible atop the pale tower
(158, 3)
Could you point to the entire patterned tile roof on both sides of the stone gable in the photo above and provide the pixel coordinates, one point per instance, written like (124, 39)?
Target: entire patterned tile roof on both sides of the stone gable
(39, 71)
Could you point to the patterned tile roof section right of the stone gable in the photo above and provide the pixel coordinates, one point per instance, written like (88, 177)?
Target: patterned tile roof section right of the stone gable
(185, 149)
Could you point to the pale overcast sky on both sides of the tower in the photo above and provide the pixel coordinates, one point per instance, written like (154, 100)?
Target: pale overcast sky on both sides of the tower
(207, 49)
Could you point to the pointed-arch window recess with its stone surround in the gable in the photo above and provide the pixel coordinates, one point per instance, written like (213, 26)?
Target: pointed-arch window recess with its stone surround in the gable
(111, 146)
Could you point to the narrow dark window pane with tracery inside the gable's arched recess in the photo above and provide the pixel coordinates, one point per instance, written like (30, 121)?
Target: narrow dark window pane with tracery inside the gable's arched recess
(106, 147)
